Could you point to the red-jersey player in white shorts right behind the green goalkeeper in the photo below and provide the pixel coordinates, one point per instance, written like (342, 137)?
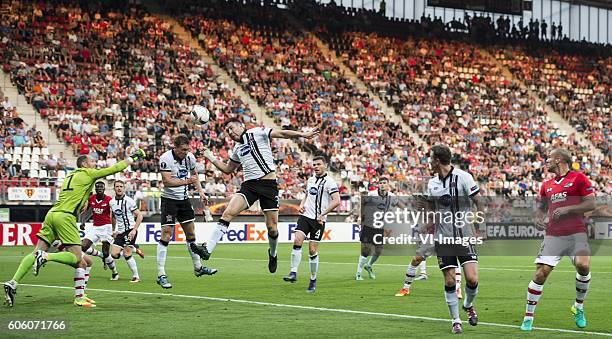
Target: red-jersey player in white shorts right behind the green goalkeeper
(102, 230)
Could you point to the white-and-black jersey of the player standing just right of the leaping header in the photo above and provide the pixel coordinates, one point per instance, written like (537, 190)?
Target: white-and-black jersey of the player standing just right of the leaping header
(319, 191)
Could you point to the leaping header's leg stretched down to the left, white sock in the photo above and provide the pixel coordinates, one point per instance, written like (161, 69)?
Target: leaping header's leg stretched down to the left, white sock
(237, 204)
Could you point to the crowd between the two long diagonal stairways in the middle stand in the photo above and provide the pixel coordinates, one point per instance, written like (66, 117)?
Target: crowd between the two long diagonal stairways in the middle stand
(287, 73)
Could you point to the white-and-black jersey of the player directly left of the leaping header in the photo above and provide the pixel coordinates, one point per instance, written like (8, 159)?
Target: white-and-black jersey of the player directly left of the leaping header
(180, 169)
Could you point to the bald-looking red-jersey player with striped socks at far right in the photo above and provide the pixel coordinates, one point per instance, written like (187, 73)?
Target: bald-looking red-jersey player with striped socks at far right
(564, 199)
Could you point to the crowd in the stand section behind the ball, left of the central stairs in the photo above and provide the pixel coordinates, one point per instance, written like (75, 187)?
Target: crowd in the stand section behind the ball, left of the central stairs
(110, 80)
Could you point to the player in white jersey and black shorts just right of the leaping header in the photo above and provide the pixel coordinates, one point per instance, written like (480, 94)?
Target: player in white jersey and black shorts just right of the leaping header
(321, 198)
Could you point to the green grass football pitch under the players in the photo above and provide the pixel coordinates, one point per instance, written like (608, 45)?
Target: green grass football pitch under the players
(244, 299)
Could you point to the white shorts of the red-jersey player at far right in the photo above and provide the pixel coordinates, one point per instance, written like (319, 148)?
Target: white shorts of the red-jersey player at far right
(554, 248)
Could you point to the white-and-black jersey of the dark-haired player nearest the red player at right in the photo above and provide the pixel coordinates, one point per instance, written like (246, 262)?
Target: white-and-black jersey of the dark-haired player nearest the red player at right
(451, 197)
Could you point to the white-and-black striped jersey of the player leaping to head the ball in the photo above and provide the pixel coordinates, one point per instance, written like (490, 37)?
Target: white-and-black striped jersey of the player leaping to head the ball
(254, 153)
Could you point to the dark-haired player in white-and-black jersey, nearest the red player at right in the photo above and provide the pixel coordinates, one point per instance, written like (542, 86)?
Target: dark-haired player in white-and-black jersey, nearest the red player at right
(453, 191)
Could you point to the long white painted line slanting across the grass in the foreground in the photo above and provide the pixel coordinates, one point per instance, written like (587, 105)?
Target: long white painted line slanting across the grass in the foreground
(323, 309)
